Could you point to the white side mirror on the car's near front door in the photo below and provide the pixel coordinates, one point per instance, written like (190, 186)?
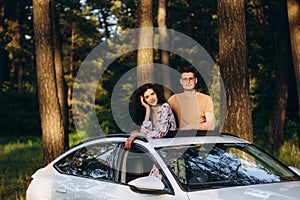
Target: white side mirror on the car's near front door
(147, 184)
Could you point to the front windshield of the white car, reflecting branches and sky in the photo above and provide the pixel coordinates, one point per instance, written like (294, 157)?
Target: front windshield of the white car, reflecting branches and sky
(203, 166)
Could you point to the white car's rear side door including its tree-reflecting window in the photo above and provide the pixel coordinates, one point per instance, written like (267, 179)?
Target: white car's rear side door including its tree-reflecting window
(87, 171)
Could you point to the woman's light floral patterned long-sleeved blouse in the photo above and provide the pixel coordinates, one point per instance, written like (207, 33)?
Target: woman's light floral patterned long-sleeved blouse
(165, 121)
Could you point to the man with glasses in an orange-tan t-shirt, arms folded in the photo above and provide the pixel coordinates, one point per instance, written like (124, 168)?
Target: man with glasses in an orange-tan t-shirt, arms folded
(194, 110)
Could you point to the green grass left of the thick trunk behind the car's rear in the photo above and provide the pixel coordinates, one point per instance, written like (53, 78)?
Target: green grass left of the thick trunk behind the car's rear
(19, 159)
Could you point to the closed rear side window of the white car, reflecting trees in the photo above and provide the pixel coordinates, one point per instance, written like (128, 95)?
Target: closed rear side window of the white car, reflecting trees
(97, 161)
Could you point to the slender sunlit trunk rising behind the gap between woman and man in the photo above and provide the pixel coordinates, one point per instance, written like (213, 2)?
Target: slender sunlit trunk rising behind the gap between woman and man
(163, 38)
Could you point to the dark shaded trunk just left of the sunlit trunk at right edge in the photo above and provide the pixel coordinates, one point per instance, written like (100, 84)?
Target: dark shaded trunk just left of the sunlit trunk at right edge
(281, 38)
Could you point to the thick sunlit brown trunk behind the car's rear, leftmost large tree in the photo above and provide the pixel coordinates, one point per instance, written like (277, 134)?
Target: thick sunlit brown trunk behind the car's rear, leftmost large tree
(51, 118)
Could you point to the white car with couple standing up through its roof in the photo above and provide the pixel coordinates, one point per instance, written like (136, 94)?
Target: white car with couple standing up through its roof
(183, 166)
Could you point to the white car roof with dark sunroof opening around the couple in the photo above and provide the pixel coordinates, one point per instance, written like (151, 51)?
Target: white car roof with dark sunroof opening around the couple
(179, 137)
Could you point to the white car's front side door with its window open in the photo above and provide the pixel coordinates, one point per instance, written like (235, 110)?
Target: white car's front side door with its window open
(136, 163)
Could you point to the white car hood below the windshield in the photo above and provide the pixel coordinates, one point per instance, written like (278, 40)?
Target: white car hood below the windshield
(274, 191)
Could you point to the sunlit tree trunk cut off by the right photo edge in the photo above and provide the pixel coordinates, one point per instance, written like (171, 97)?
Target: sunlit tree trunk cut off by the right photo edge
(293, 9)
